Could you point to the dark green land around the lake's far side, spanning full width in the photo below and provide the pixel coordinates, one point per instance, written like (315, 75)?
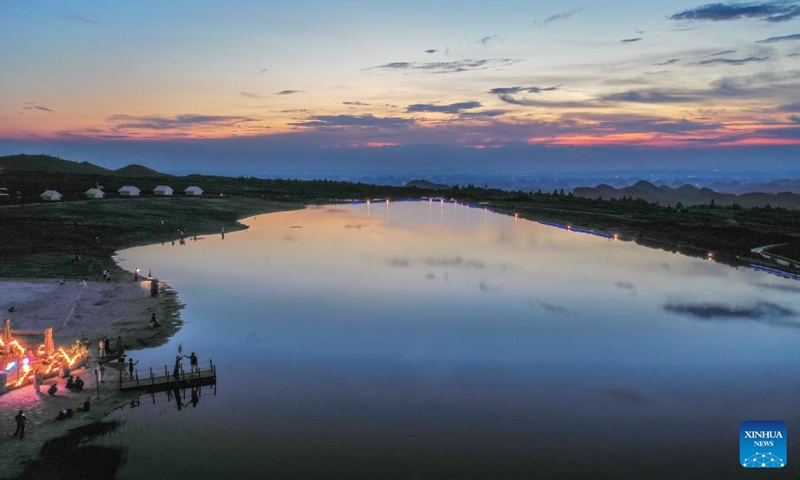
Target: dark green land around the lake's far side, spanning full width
(40, 239)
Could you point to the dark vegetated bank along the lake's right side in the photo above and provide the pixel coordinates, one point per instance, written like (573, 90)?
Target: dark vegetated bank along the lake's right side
(729, 232)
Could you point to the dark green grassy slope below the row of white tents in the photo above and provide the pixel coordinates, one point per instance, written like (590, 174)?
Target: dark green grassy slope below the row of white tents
(41, 240)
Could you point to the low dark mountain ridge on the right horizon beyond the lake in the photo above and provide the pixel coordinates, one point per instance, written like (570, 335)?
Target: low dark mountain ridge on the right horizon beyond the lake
(688, 195)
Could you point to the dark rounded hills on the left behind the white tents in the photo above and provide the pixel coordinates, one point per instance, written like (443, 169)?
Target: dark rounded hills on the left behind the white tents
(50, 164)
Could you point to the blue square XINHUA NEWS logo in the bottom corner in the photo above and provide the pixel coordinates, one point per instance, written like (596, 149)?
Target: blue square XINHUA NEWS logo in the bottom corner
(762, 444)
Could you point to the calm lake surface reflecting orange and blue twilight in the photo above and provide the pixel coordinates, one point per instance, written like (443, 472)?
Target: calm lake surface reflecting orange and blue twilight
(433, 340)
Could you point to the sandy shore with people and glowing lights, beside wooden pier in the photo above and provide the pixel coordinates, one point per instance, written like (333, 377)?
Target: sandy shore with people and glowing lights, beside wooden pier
(73, 309)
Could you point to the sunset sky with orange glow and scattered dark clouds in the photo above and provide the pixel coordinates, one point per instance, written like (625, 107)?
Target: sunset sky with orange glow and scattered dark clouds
(150, 81)
